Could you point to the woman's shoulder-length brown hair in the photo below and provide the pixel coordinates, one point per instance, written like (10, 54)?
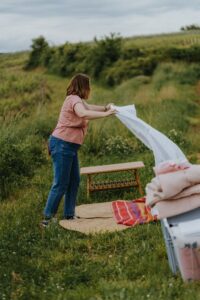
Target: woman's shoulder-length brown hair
(80, 86)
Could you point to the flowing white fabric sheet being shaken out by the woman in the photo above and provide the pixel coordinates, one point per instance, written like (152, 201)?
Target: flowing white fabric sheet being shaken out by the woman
(163, 148)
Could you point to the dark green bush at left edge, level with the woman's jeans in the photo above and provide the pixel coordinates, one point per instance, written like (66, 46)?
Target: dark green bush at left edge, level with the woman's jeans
(20, 156)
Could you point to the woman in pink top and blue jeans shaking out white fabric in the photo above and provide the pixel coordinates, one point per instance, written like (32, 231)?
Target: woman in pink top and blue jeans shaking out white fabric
(65, 142)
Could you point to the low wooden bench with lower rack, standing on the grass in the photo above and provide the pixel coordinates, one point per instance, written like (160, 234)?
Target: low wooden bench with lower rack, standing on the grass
(131, 167)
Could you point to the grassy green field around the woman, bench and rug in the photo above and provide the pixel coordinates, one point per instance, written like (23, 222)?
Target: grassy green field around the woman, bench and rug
(59, 264)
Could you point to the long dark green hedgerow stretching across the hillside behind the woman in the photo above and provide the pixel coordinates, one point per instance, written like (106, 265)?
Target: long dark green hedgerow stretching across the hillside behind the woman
(108, 59)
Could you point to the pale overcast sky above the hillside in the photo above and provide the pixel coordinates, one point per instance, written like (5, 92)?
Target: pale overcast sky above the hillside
(80, 20)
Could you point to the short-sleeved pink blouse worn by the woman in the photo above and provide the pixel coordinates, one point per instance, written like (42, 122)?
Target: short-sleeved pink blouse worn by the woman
(70, 127)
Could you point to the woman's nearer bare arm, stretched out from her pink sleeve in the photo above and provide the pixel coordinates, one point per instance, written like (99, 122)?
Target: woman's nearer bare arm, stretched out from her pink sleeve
(88, 114)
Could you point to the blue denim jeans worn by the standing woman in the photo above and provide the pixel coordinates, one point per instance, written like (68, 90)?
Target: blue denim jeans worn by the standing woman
(66, 177)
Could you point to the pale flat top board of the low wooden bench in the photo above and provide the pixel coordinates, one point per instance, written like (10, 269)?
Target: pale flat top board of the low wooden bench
(112, 168)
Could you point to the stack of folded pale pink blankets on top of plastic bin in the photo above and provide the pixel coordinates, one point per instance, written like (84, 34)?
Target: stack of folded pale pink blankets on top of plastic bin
(174, 190)
